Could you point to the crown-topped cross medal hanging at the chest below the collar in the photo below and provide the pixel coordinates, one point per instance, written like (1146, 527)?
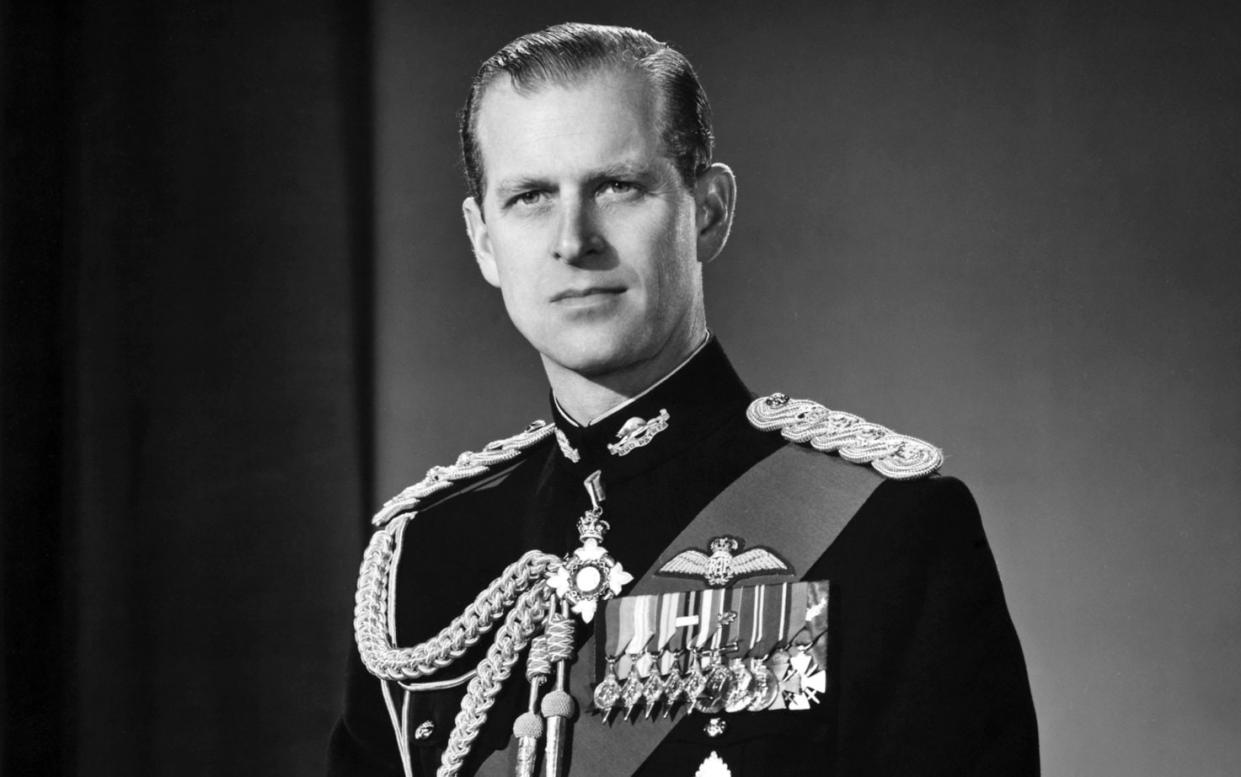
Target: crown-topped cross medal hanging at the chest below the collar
(590, 575)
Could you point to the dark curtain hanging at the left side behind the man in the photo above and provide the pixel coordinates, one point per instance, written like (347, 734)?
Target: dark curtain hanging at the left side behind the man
(187, 264)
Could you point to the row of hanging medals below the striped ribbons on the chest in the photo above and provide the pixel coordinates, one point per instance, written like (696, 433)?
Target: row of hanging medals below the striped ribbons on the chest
(703, 681)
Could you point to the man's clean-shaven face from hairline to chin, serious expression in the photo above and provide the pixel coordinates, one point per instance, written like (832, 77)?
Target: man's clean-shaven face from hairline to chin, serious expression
(586, 227)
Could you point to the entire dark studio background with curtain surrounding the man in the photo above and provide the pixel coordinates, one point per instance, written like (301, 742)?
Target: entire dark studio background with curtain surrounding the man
(239, 311)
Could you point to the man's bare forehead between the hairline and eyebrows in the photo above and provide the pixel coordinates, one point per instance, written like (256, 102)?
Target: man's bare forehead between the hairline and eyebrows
(560, 130)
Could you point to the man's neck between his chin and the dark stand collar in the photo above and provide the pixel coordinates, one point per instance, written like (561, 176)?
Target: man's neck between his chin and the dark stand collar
(585, 399)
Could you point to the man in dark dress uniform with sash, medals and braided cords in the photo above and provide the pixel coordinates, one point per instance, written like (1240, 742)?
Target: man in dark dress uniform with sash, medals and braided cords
(826, 616)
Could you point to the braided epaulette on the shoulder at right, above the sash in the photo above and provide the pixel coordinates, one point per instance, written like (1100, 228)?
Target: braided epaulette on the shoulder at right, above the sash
(853, 439)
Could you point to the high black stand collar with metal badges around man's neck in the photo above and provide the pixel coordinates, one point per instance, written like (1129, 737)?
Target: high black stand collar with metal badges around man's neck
(676, 413)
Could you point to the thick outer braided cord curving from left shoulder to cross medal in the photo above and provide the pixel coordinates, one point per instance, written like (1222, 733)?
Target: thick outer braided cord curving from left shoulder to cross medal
(389, 662)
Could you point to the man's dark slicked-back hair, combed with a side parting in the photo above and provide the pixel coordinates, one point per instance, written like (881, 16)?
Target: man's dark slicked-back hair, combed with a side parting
(567, 53)
